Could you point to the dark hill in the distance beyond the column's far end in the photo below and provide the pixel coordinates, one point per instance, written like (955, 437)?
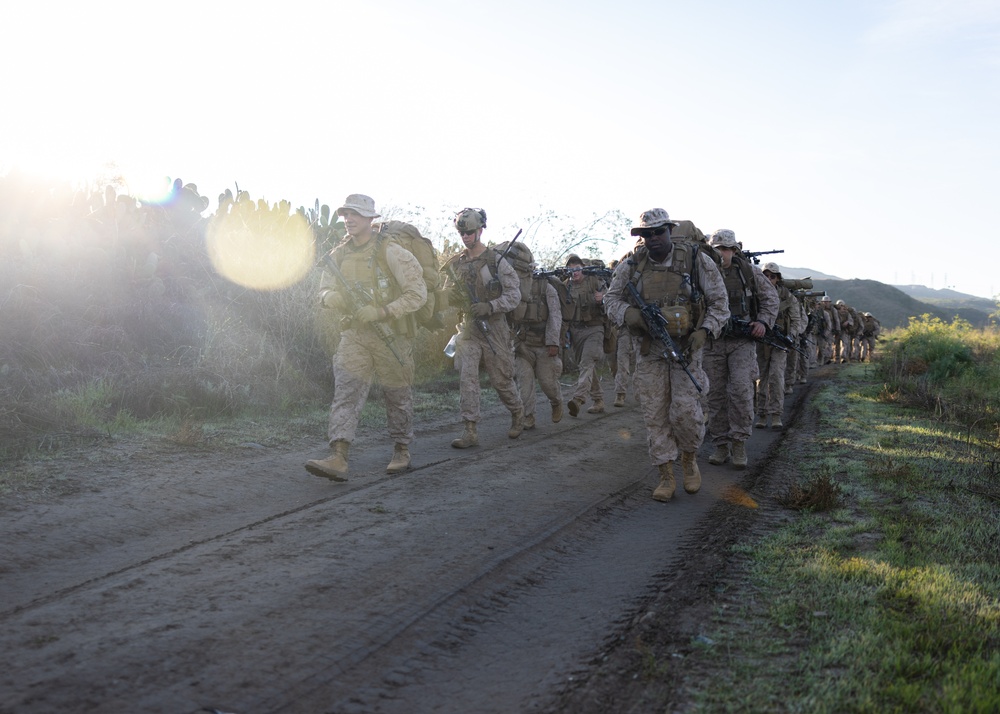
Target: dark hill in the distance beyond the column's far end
(892, 306)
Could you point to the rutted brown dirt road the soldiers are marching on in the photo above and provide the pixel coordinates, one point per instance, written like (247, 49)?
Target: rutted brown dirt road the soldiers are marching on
(175, 580)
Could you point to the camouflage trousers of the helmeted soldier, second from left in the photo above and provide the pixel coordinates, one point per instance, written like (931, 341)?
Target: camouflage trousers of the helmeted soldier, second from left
(496, 353)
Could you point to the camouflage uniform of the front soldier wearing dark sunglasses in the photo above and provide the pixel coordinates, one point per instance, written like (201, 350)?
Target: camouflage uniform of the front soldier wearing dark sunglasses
(670, 403)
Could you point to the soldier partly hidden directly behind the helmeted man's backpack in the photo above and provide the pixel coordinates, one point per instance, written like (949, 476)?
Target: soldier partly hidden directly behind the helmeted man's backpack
(537, 327)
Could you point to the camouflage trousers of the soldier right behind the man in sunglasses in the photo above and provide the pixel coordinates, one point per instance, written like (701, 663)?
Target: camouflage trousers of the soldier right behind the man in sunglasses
(731, 364)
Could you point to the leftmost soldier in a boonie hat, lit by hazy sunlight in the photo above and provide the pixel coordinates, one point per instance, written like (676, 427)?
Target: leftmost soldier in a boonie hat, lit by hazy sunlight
(376, 340)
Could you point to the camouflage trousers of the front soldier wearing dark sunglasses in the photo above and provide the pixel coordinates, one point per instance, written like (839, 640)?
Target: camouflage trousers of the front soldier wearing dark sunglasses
(670, 404)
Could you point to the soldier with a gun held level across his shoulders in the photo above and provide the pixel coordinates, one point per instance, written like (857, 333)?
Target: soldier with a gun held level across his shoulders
(584, 316)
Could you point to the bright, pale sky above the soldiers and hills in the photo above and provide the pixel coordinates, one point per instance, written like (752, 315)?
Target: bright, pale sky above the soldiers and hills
(862, 137)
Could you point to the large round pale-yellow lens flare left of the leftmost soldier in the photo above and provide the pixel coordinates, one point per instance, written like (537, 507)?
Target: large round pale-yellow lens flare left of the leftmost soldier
(260, 249)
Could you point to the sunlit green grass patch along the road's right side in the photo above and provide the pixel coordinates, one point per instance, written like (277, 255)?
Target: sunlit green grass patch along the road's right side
(889, 600)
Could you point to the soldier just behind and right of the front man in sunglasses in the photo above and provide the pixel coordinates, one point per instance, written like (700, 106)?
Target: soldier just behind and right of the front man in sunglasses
(731, 361)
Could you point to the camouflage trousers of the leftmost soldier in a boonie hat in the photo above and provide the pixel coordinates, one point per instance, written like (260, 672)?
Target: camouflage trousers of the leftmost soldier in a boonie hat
(362, 357)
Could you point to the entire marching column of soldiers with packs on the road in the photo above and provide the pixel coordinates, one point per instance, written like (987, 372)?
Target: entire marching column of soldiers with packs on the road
(709, 343)
